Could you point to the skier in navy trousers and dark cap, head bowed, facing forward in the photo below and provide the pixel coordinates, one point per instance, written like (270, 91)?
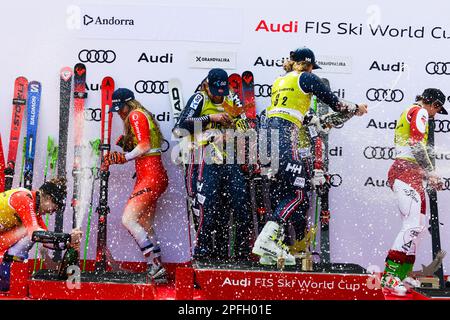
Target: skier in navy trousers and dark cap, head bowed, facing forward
(219, 185)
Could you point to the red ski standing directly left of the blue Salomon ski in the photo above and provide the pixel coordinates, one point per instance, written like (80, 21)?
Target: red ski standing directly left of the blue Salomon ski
(19, 105)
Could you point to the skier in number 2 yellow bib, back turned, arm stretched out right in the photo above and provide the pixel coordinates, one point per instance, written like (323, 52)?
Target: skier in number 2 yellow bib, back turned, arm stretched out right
(288, 115)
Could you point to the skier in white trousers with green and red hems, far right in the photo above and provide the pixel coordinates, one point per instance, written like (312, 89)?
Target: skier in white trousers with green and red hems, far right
(406, 176)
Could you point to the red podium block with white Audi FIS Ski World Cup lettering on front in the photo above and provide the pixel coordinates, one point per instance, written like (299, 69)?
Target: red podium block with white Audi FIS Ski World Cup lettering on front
(249, 281)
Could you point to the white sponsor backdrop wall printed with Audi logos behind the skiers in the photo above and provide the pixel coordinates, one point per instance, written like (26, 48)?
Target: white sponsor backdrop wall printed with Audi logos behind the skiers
(369, 53)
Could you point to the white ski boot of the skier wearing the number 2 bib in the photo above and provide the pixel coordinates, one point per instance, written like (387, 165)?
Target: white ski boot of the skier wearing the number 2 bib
(270, 245)
